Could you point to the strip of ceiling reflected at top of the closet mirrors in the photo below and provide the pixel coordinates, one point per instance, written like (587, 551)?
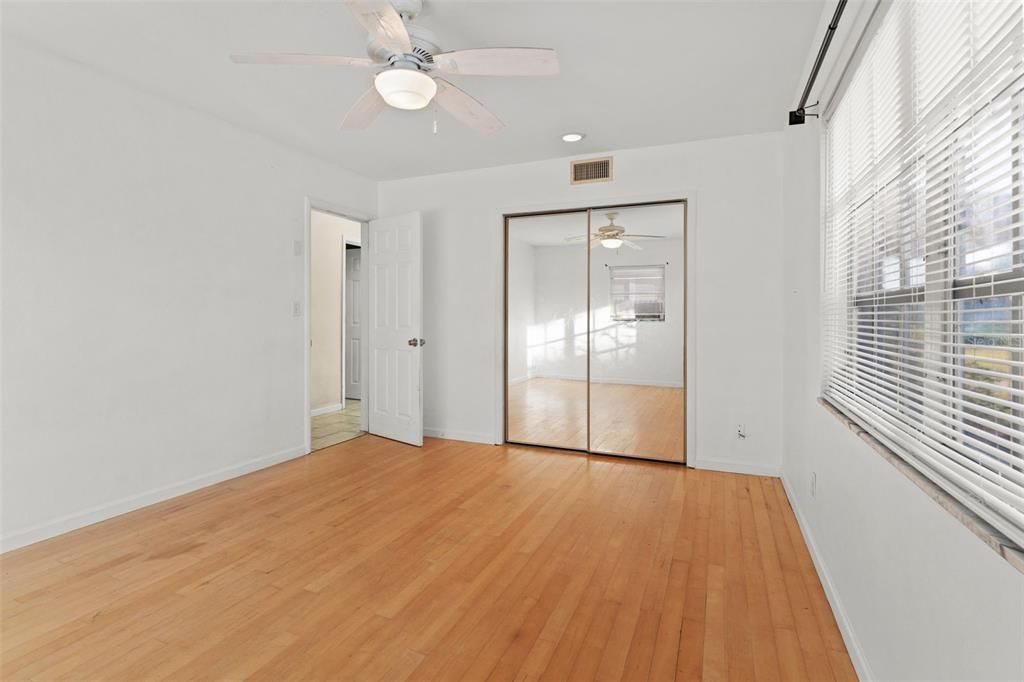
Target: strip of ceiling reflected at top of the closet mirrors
(665, 221)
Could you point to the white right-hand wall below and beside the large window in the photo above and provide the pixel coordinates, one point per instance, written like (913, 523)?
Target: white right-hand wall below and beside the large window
(921, 598)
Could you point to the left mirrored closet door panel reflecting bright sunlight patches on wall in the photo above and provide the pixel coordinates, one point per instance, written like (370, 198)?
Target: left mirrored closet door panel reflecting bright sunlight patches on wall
(547, 342)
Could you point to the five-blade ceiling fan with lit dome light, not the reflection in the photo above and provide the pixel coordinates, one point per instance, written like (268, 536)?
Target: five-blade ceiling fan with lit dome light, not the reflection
(410, 61)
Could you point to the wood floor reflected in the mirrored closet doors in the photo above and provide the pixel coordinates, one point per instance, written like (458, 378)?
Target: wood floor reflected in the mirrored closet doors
(627, 419)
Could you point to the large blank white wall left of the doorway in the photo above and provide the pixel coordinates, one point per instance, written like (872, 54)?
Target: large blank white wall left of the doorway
(149, 280)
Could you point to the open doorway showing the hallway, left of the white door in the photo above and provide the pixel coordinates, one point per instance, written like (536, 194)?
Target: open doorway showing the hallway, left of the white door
(335, 327)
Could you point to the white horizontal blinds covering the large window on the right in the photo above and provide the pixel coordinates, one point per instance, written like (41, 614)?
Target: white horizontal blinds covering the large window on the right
(924, 259)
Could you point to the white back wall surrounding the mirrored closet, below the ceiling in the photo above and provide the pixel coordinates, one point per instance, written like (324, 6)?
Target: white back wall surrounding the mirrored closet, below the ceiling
(735, 186)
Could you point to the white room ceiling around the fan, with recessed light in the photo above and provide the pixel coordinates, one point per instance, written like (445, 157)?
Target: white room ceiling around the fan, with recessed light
(634, 73)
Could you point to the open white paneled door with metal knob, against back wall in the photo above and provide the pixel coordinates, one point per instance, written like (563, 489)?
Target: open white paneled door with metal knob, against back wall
(393, 269)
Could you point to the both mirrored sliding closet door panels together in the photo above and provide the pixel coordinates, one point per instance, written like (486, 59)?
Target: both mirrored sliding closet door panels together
(595, 330)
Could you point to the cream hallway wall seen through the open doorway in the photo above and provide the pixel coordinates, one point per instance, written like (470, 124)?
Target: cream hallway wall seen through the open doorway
(328, 234)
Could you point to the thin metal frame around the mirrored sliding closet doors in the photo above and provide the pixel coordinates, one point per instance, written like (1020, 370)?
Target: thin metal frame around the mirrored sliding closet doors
(687, 351)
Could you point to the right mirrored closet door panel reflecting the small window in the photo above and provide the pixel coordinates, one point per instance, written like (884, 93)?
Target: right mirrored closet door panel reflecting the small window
(638, 334)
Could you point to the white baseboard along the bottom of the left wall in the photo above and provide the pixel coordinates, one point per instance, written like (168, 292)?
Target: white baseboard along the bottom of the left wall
(103, 513)
